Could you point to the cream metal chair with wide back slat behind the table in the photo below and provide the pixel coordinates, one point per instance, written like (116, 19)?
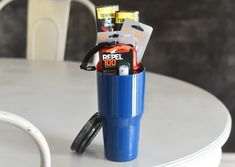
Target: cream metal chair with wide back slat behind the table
(47, 27)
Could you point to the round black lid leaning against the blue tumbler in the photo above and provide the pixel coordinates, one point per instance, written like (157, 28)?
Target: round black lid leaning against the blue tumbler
(87, 134)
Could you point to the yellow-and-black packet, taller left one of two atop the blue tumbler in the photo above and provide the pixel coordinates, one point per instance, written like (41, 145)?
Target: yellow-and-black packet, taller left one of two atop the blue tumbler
(106, 17)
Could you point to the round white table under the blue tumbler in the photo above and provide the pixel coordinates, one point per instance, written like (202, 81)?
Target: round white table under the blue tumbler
(183, 125)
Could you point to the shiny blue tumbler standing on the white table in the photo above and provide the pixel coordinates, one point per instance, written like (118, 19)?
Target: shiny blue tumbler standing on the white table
(121, 105)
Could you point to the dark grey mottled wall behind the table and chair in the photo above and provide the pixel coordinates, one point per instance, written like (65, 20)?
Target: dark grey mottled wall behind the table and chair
(192, 40)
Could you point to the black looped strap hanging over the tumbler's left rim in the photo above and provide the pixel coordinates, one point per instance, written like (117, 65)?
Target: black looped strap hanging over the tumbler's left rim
(91, 53)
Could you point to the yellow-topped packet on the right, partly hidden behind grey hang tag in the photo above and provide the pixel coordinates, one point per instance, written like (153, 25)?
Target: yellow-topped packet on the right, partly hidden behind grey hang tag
(122, 15)
